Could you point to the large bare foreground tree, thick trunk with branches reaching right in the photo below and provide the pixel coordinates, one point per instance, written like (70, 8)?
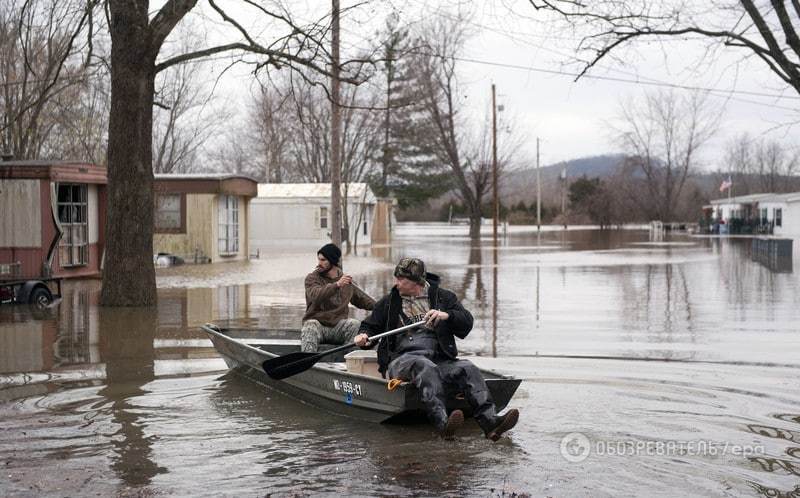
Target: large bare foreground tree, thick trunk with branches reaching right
(137, 36)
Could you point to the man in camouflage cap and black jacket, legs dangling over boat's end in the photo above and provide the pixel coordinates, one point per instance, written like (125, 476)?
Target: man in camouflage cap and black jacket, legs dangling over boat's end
(427, 356)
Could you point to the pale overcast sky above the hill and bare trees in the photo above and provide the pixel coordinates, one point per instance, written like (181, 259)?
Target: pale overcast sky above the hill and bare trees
(520, 52)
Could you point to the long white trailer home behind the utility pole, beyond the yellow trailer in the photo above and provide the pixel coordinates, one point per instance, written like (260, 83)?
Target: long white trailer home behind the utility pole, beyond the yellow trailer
(298, 214)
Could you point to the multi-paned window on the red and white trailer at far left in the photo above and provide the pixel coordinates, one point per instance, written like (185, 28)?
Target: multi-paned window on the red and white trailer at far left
(73, 248)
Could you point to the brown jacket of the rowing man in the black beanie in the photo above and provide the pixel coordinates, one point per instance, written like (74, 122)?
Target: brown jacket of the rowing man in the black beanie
(327, 303)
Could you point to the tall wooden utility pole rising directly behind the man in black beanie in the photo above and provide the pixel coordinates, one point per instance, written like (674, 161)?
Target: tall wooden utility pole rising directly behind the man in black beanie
(336, 123)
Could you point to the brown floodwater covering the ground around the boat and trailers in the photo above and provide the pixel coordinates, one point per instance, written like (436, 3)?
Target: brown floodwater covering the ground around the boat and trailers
(651, 367)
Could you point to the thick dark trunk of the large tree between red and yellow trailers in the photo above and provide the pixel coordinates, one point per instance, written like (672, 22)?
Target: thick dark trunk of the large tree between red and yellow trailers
(129, 274)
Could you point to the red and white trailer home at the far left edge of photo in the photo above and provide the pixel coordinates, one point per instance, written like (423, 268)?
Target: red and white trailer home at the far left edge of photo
(52, 219)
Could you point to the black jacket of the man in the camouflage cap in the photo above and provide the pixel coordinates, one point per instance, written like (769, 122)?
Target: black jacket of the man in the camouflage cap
(386, 316)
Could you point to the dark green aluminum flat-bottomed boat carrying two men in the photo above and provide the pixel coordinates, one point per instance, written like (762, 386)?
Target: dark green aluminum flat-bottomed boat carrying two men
(348, 388)
